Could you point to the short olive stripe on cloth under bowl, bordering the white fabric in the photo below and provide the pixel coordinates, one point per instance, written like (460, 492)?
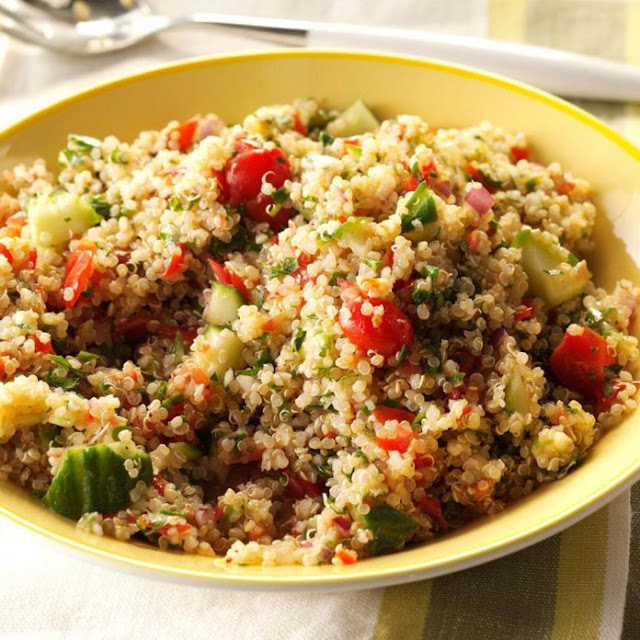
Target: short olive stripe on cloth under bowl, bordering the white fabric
(403, 611)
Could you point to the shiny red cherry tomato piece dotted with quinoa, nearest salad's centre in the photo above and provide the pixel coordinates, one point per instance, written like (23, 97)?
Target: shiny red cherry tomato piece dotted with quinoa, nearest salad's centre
(388, 337)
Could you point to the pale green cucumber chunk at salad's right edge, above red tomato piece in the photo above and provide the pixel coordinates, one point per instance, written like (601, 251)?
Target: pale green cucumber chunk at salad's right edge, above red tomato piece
(553, 273)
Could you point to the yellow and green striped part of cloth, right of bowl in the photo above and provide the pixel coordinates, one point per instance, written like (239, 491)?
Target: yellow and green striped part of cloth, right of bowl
(585, 582)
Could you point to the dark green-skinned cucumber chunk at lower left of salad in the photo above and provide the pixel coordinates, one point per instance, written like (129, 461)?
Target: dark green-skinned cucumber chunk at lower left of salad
(95, 478)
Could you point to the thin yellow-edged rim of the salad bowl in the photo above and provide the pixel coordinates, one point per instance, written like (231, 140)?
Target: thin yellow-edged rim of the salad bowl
(364, 577)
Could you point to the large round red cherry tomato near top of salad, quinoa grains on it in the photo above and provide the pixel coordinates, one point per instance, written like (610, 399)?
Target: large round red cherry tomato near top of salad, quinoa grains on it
(245, 173)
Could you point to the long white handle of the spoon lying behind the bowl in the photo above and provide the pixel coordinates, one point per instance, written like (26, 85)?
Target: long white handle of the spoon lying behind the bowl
(568, 74)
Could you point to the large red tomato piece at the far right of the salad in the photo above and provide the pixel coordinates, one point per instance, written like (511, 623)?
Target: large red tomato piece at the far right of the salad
(579, 360)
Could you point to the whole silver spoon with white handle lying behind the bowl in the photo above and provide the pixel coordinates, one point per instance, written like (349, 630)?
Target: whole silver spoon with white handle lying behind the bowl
(116, 24)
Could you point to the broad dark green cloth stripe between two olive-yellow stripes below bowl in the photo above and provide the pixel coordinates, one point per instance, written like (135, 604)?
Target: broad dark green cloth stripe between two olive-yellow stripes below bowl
(509, 598)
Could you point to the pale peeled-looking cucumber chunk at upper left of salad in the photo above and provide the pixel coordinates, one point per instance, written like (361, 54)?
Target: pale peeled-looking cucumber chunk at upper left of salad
(54, 218)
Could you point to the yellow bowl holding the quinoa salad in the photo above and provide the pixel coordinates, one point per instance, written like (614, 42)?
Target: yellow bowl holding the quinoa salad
(445, 95)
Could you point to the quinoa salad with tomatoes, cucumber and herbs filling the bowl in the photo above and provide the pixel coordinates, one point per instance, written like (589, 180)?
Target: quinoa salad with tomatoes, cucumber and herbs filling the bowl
(307, 338)
